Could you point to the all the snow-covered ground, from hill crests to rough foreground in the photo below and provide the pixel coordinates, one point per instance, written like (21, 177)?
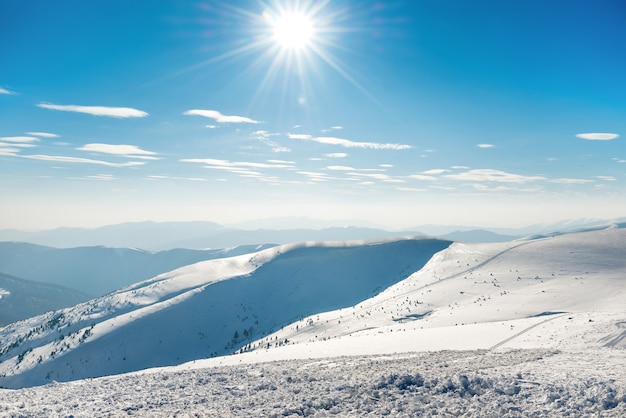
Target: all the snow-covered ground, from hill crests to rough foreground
(531, 328)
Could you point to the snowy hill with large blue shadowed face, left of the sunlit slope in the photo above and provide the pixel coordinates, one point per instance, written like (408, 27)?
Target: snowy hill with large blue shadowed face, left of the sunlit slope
(205, 309)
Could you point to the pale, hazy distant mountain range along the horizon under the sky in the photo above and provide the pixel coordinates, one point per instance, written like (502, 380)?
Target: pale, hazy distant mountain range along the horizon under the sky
(158, 236)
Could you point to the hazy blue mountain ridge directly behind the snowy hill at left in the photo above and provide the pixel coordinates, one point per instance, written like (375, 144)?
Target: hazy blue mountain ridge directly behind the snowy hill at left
(98, 270)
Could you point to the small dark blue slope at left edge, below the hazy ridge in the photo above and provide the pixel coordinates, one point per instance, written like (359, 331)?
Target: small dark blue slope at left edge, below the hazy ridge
(21, 299)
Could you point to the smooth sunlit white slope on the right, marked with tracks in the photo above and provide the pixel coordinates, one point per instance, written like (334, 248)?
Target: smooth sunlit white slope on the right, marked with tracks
(479, 283)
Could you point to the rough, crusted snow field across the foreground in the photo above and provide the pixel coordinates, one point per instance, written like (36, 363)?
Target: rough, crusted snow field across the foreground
(518, 383)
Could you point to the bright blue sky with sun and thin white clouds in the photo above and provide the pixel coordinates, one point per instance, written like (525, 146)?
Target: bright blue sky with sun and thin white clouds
(399, 113)
